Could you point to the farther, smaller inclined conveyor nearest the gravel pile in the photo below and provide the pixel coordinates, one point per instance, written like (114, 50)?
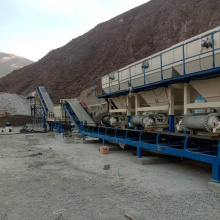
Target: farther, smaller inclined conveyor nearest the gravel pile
(45, 99)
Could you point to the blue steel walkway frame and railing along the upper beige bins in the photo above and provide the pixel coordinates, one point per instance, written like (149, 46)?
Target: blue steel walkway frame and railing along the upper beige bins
(163, 82)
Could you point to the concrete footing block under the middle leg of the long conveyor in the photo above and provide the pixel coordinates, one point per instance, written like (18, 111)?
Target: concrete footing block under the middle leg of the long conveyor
(153, 160)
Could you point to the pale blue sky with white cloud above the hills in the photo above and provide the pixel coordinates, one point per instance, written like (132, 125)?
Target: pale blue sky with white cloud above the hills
(32, 28)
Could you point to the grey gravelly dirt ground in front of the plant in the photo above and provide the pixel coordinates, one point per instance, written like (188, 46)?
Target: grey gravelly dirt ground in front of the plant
(36, 181)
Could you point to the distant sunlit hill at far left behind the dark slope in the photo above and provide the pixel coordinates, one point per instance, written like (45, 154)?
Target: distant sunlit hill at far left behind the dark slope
(10, 62)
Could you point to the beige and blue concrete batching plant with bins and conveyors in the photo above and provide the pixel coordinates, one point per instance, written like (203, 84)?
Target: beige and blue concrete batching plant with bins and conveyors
(168, 102)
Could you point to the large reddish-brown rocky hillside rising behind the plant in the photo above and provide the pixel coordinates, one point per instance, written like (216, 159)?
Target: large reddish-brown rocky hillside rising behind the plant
(120, 41)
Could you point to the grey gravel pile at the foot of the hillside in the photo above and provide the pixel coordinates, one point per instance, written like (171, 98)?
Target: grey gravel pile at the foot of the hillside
(14, 104)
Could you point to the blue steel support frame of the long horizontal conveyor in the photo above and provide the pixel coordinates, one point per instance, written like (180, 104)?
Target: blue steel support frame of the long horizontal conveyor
(155, 145)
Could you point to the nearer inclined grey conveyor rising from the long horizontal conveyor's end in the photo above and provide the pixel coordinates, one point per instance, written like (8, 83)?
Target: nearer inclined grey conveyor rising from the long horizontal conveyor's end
(79, 111)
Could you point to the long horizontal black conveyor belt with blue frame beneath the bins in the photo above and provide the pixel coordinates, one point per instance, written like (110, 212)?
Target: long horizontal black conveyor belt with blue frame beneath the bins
(201, 148)
